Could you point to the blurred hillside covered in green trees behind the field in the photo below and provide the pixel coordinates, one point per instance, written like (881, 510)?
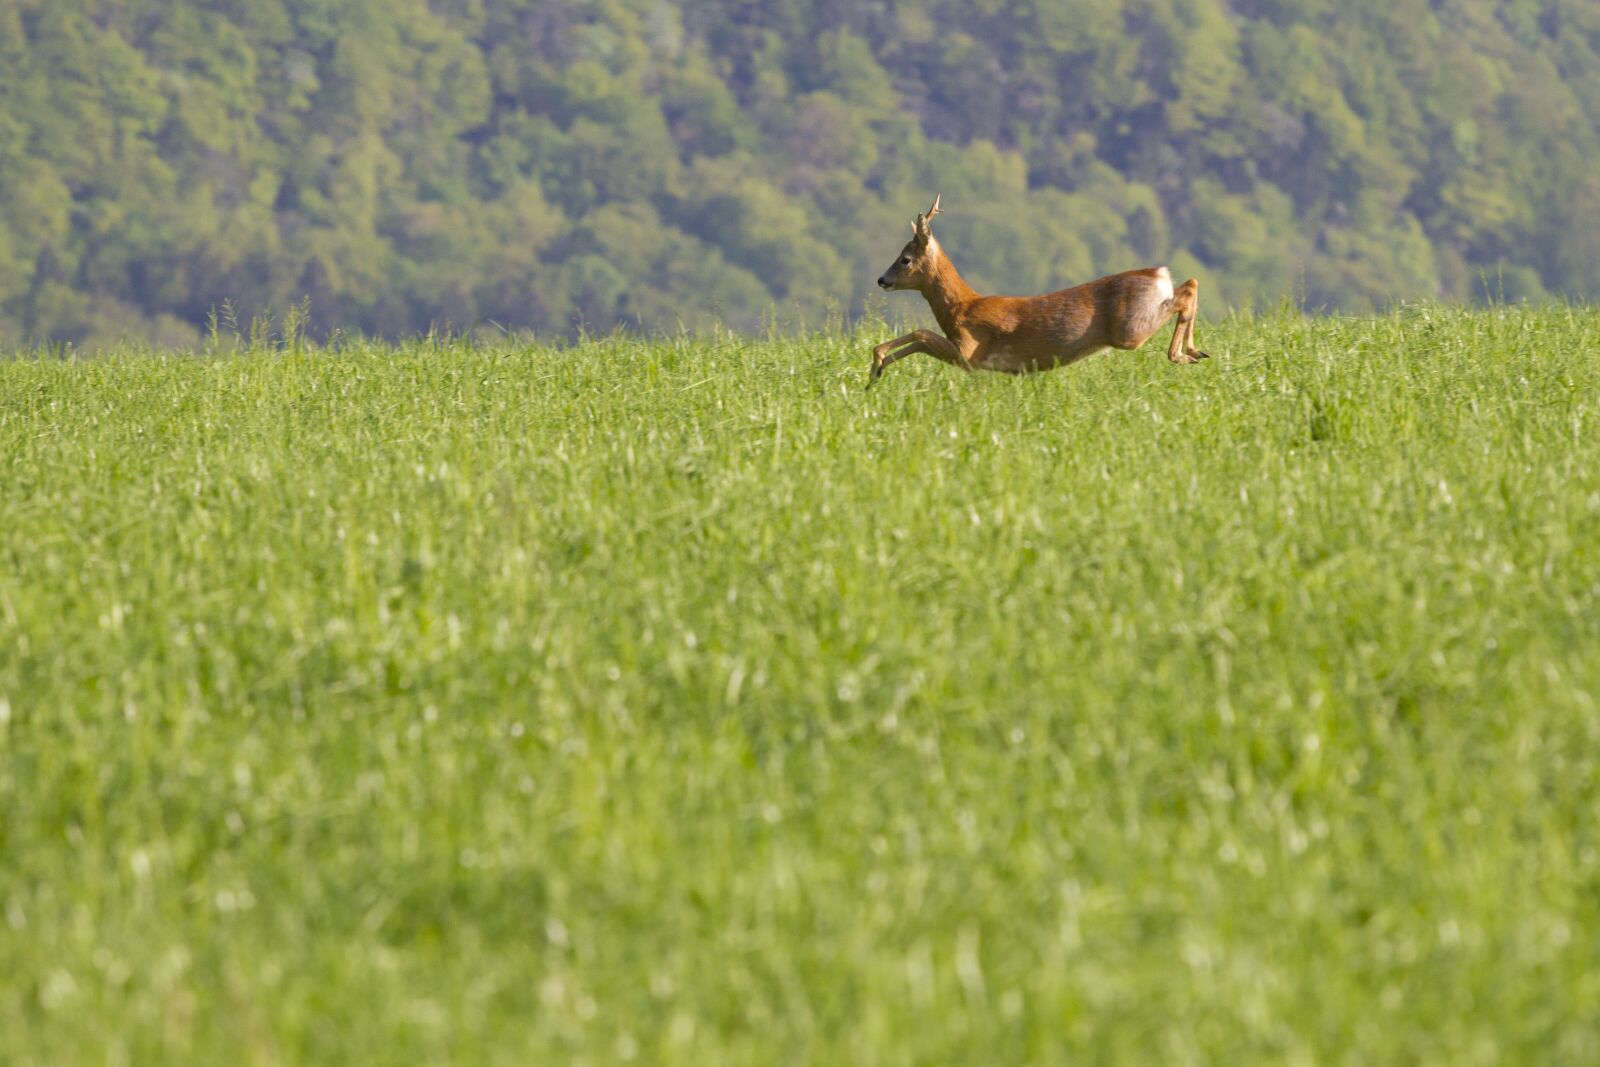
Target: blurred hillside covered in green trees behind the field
(582, 164)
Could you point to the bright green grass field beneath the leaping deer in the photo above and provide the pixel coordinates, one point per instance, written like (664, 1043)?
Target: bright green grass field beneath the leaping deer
(682, 703)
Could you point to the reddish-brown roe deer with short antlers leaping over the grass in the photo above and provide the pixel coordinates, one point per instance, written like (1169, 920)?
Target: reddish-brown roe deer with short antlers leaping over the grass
(1033, 334)
